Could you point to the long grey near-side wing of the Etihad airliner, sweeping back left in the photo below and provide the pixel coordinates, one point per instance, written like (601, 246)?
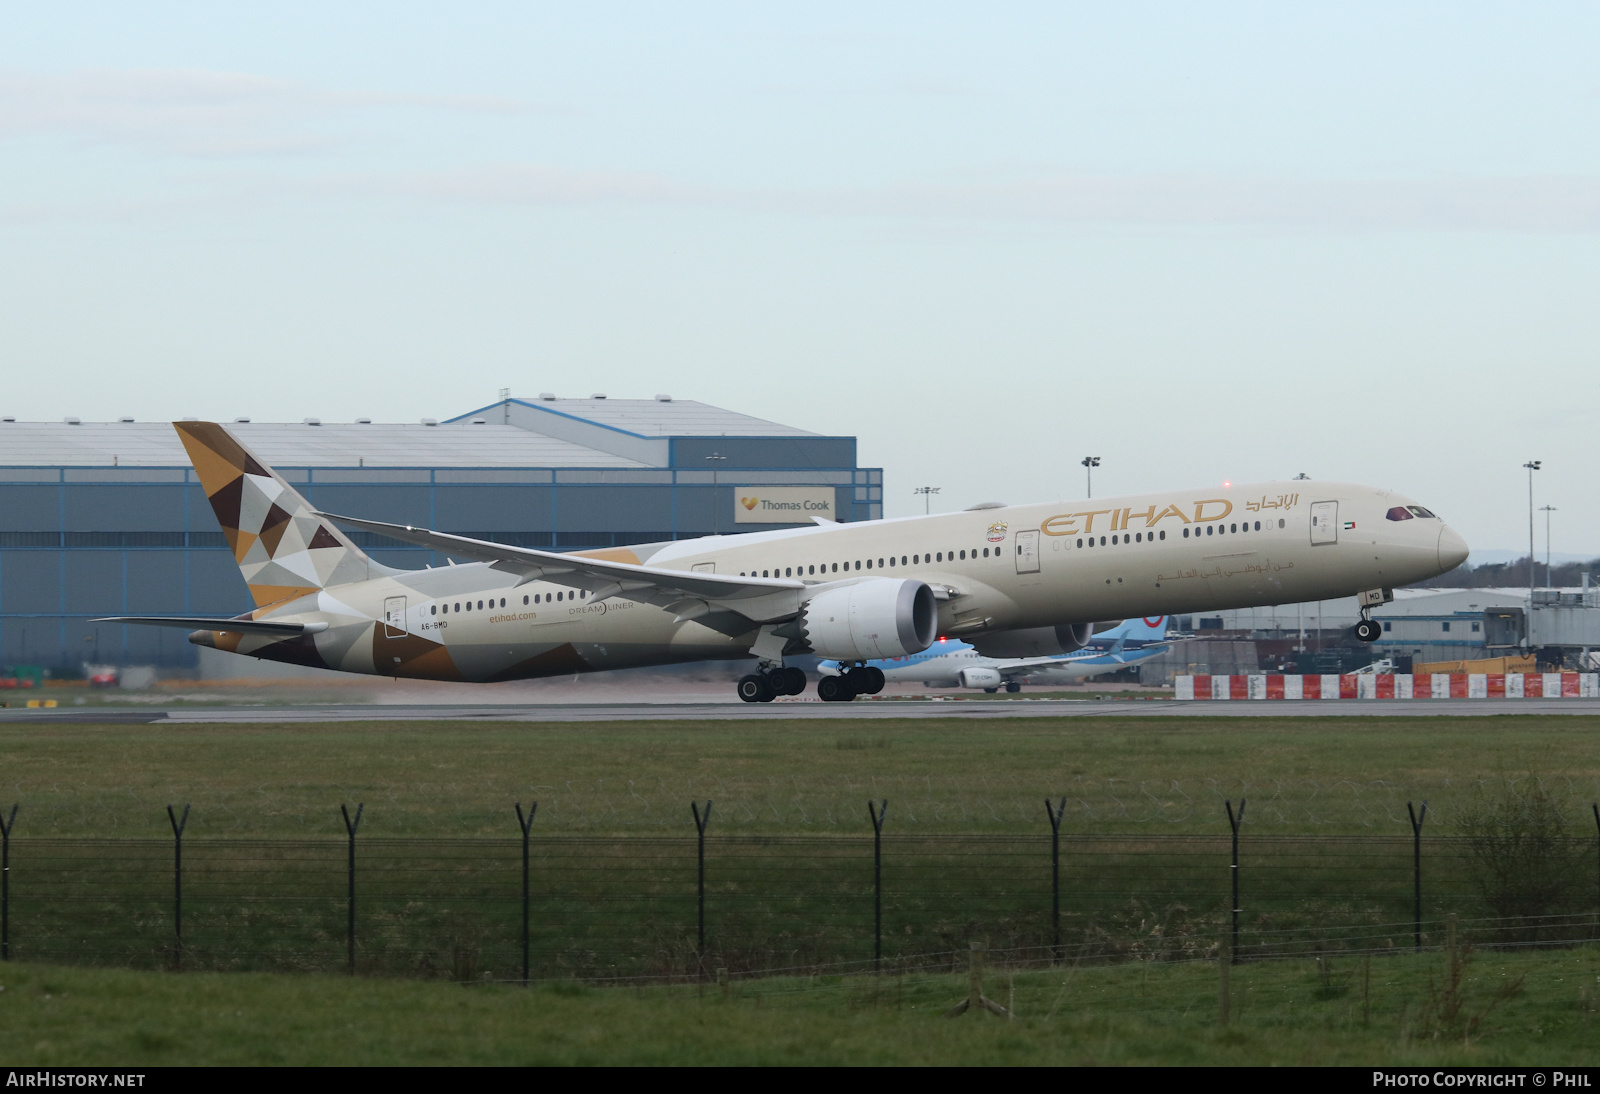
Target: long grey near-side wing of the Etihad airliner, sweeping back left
(689, 594)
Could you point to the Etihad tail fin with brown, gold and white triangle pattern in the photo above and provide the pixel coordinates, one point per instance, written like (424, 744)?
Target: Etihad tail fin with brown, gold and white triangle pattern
(282, 548)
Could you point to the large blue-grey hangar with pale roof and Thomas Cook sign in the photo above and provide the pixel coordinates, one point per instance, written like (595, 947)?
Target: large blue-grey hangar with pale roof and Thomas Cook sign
(103, 519)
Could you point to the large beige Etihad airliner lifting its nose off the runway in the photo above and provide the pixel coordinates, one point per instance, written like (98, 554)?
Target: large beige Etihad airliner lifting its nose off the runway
(1028, 581)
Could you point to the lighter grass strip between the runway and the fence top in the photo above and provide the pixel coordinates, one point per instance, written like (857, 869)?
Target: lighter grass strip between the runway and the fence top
(1119, 775)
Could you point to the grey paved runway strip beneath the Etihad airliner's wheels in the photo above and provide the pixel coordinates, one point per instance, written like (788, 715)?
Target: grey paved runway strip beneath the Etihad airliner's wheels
(809, 711)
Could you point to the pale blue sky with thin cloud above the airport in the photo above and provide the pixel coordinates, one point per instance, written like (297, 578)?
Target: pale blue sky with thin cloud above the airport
(1204, 242)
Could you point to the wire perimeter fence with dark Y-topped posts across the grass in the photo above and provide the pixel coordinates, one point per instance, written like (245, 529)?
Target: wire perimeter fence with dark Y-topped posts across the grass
(638, 908)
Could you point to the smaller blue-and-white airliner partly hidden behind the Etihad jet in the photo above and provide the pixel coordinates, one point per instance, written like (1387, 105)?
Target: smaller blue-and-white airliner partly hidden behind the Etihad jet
(953, 663)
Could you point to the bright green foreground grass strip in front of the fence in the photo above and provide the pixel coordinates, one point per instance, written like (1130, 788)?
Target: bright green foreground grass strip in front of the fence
(1503, 1010)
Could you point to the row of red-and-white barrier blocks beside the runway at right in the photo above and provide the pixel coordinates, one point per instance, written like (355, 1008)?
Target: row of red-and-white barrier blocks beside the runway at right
(1439, 685)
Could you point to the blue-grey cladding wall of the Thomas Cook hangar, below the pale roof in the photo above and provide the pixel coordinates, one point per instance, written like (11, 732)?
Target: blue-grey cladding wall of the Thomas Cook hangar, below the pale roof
(78, 543)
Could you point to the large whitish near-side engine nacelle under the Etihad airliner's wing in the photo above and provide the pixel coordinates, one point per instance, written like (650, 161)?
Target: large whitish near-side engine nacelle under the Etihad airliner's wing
(871, 620)
